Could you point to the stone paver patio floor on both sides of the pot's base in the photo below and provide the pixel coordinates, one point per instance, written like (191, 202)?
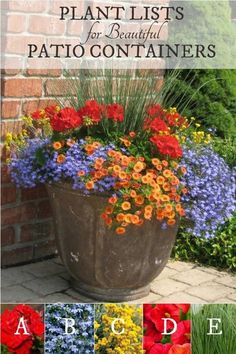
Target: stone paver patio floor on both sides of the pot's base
(47, 281)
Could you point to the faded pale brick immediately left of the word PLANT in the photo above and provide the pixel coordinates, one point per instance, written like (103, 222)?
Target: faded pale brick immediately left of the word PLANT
(46, 25)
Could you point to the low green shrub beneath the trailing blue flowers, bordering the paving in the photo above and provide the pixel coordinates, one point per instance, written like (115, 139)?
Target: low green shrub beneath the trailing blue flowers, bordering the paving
(219, 251)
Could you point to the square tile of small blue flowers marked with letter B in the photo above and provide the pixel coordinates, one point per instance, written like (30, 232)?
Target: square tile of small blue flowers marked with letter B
(79, 341)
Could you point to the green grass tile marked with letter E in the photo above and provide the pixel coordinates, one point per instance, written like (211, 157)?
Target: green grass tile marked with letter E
(213, 344)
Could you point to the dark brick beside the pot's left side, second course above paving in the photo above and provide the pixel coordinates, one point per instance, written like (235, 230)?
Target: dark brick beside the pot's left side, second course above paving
(36, 232)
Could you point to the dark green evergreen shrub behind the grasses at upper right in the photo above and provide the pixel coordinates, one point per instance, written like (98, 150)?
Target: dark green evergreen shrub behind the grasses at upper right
(209, 96)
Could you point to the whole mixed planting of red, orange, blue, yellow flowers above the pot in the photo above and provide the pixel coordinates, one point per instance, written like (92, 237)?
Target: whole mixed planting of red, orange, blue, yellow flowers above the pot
(150, 162)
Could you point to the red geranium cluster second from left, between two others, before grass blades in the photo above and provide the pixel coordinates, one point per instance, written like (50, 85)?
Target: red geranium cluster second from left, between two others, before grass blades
(91, 112)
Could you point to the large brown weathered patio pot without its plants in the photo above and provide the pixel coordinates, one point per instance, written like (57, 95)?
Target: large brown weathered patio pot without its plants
(103, 265)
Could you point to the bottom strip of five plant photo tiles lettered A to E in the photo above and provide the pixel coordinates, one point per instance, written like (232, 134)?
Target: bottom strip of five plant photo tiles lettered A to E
(118, 328)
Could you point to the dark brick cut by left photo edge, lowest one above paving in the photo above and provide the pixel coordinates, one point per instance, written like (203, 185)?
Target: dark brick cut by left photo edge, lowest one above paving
(17, 255)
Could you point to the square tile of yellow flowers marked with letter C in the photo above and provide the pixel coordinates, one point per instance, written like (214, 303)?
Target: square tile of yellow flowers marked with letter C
(108, 341)
